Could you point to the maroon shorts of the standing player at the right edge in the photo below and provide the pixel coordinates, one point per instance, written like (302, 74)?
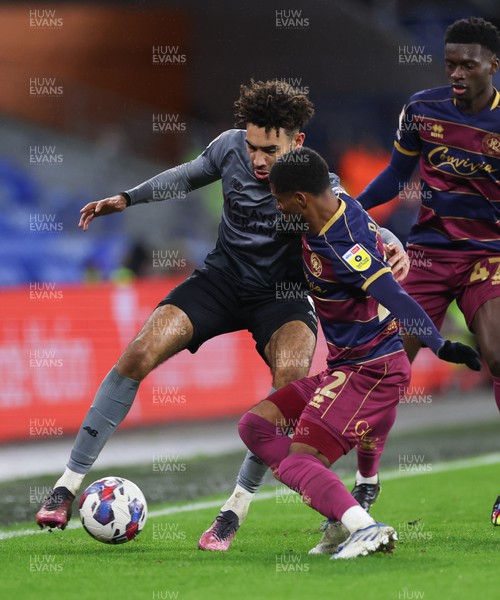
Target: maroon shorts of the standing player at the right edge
(437, 277)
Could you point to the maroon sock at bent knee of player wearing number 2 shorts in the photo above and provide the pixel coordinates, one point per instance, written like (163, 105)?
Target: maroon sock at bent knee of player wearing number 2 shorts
(265, 440)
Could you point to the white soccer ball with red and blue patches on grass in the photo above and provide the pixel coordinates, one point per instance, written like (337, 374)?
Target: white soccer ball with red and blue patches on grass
(113, 510)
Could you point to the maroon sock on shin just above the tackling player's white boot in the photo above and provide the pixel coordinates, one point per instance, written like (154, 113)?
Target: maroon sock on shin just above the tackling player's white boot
(320, 488)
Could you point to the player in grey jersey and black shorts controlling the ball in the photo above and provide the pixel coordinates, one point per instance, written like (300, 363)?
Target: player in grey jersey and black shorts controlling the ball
(235, 289)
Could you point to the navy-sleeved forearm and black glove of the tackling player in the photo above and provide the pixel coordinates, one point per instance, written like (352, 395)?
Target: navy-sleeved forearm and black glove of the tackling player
(416, 322)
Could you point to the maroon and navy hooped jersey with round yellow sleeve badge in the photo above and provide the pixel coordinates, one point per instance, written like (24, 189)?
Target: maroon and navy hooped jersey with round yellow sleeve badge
(340, 263)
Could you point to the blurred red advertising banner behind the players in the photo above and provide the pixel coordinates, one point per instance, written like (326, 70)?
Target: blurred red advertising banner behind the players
(57, 344)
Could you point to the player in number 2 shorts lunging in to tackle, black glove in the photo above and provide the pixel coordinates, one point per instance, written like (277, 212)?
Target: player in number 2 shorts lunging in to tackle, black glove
(357, 301)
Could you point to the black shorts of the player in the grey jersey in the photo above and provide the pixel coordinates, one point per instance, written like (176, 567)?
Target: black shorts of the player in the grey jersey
(216, 304)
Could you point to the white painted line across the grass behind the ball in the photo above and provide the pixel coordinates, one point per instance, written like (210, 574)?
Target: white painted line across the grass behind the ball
(443, 467)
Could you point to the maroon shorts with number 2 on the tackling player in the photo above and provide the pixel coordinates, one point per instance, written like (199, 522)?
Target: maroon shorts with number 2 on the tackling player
(341, 406)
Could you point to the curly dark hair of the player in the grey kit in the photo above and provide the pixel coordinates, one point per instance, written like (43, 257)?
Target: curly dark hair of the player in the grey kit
(273, 104)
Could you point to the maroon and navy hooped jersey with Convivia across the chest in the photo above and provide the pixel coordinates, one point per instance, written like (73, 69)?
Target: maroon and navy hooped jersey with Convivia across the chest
(459, 168)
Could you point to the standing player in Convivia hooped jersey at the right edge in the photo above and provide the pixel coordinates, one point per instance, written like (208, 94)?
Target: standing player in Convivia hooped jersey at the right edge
(453, 132)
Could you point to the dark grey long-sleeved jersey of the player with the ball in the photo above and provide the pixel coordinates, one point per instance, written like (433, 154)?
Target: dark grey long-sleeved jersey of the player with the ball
(256, 247)
